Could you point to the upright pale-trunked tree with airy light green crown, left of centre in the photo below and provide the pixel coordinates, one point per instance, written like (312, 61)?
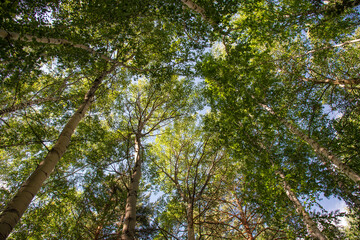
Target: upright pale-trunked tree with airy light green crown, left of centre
(148, 107)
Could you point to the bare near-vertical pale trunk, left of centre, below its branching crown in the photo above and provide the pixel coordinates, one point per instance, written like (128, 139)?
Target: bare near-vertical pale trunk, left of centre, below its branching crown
(128, 232)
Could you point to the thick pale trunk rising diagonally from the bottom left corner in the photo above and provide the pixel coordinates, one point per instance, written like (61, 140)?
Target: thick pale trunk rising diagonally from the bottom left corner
(17, 206)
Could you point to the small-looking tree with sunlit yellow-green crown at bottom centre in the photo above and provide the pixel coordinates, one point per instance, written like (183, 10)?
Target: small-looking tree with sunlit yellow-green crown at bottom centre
(187, 164)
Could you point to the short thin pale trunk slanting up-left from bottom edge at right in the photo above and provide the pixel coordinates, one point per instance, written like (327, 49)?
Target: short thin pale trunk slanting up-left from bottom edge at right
(310, 224)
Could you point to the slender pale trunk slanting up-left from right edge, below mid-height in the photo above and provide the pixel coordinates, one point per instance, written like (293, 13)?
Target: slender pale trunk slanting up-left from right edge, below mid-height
(317, 147)
